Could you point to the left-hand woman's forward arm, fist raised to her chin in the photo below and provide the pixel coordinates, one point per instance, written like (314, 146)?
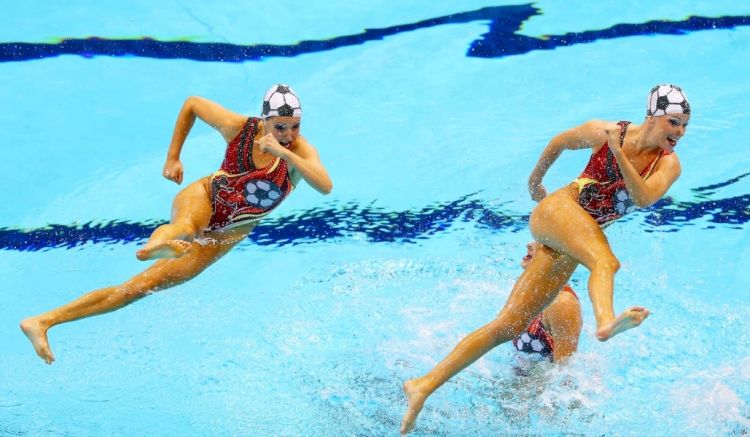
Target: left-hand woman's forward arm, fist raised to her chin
(303, 159)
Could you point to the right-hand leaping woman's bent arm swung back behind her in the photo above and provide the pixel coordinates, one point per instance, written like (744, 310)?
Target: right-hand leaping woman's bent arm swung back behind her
(585, 136)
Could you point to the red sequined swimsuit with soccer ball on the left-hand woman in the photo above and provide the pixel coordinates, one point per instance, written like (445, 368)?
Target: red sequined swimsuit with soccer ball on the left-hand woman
(241, 193)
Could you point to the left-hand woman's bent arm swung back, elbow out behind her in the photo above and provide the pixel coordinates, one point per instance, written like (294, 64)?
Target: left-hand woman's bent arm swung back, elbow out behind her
(228, 123)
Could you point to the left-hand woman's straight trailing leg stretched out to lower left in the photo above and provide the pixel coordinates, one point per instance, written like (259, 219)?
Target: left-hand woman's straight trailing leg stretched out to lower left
(161, 275)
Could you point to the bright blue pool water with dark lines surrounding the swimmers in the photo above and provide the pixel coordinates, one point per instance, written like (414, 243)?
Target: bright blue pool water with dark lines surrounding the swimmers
(311, 326)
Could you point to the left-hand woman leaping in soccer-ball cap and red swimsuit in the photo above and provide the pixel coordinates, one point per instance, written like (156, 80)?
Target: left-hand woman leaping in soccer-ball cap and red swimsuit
(265, 159)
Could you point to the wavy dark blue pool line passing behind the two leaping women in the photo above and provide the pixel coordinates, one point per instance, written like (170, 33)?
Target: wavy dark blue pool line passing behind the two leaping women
(378, 225)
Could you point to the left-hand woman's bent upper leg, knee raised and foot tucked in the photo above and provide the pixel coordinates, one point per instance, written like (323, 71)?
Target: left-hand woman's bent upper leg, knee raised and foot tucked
(191, 213)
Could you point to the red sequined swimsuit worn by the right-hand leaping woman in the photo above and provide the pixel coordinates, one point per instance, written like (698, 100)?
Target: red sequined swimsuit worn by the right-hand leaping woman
(601, 187)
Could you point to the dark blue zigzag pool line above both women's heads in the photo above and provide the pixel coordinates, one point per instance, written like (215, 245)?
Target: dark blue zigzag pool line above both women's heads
(501, 40)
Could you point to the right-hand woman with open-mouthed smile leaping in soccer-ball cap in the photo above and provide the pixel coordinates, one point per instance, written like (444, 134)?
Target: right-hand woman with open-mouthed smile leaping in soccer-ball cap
(630, 166)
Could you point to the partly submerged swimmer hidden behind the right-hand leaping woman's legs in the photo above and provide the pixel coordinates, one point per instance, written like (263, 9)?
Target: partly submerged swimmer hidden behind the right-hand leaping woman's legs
(555, 331)
